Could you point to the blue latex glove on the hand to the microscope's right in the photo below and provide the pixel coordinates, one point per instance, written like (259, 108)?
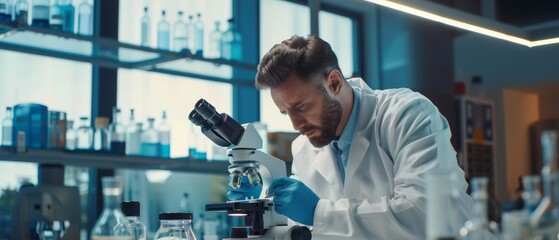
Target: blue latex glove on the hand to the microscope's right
(294, 199)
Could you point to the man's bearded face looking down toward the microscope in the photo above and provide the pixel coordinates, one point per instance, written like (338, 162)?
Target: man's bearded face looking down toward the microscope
(310, 108)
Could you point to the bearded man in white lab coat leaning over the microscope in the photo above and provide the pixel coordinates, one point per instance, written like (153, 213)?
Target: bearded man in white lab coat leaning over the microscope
(359, 162)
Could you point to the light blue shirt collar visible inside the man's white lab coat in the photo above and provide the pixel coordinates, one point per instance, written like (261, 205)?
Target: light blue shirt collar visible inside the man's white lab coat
(342, 146)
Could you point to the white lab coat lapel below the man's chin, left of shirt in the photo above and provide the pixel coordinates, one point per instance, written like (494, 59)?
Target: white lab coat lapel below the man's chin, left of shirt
(325, 164)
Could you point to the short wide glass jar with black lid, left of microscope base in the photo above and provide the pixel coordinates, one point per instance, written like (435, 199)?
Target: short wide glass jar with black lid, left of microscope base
(175, 225)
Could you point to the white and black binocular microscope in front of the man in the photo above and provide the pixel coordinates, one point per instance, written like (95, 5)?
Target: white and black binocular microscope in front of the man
(243, 150)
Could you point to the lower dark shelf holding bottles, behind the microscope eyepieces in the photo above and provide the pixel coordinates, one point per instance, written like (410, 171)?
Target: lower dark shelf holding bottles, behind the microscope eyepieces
(112, 161)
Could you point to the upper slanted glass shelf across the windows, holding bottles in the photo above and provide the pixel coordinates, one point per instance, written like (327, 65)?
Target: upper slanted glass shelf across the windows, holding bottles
(110, 53)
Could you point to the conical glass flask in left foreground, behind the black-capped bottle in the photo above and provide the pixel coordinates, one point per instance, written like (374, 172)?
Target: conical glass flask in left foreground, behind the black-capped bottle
(105, 227)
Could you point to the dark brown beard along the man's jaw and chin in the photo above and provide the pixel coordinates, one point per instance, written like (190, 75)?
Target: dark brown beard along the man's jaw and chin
(329, 118)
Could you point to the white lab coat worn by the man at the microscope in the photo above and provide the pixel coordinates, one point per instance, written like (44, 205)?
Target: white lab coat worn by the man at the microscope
(399, 135)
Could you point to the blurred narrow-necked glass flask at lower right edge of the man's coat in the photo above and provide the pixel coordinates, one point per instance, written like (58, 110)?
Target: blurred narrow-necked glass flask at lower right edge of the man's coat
(478, 228)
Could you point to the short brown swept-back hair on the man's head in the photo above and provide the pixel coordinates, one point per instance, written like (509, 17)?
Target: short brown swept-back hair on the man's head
(305, 57)
